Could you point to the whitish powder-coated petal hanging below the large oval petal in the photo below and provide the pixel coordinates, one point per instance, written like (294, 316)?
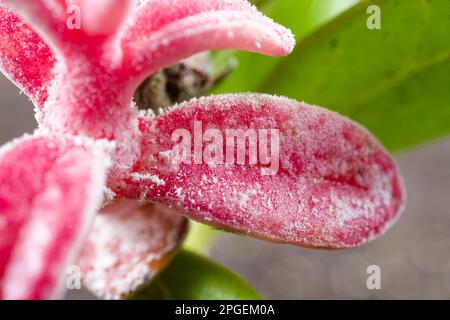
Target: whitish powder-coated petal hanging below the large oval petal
(128, 245)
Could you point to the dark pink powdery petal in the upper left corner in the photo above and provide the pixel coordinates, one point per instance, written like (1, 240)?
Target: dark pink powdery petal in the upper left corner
(24, 57)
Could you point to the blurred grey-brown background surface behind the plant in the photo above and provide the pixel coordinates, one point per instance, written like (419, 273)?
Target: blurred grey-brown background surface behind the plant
(414, 256)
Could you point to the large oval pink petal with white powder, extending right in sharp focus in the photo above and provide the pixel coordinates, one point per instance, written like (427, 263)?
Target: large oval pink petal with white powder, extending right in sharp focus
(336, 186)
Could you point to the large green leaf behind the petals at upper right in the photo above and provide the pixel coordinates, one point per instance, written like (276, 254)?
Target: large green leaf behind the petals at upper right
(395, 80)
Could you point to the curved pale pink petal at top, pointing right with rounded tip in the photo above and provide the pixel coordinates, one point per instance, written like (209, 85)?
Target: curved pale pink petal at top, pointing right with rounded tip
(164, 32)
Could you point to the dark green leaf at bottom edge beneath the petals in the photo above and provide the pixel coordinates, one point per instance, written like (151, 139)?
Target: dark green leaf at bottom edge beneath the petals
(193, 277)
